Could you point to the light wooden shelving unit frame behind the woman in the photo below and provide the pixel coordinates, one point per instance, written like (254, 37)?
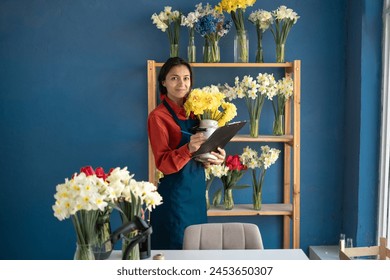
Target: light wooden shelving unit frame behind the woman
(290, 208)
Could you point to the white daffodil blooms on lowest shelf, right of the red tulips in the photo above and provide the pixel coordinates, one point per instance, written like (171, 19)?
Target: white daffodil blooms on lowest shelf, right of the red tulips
(268, 157)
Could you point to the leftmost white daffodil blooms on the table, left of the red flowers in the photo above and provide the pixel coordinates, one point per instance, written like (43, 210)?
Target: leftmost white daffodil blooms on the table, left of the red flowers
(82, 192)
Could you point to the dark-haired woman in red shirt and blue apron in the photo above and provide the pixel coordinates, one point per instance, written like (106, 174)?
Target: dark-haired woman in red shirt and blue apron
(172, 138)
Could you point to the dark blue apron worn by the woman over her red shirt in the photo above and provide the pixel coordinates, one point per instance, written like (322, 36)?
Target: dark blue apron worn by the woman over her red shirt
(183, 195)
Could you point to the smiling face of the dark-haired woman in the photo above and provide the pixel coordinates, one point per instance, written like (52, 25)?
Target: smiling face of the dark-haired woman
(178, 83)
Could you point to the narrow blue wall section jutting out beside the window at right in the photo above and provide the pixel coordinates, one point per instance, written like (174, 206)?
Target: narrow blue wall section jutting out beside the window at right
(362, 113)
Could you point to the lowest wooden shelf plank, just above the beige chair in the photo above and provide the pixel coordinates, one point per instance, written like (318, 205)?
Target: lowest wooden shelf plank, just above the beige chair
(247, 210)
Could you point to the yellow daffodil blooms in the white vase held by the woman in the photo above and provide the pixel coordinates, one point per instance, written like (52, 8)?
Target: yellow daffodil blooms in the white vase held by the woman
(208, 103)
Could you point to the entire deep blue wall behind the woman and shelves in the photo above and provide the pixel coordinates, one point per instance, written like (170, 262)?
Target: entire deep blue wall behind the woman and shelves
(73, 92)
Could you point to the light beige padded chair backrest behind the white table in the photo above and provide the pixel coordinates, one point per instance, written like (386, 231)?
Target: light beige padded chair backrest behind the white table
(220, 236)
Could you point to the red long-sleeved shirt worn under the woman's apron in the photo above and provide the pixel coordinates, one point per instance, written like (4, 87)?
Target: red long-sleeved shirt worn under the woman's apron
(164, 136)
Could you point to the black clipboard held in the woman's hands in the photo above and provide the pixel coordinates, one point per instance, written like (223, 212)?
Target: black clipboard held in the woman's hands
(220, 137)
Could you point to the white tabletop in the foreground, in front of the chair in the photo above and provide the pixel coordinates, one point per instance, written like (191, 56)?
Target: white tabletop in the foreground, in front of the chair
(268, 254)
